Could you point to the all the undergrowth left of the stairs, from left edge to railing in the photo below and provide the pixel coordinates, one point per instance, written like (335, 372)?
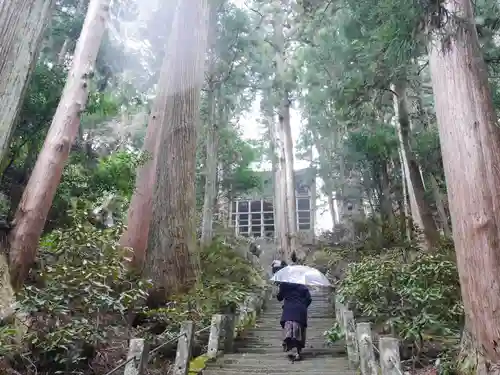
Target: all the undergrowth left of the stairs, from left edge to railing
(82, 305)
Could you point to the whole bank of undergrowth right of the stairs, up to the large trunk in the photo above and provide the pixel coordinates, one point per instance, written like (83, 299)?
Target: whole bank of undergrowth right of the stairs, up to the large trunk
(403, 291)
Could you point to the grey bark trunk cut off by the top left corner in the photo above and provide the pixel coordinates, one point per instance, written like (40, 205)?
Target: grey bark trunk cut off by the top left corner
(22, 27)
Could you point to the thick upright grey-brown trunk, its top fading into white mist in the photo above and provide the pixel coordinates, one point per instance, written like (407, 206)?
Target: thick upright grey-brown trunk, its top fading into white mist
(171, 261)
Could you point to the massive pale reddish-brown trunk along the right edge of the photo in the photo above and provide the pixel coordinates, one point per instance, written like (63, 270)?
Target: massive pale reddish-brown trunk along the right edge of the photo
(470, 145)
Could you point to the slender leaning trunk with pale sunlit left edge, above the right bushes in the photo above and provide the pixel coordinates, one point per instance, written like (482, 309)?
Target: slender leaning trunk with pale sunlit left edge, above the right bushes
(421, 212)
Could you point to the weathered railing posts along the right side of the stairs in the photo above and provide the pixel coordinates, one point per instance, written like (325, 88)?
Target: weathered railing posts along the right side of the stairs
(361, 350)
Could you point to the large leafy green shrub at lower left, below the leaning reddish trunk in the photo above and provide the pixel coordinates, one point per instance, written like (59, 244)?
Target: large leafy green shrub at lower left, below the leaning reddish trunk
(78, 287)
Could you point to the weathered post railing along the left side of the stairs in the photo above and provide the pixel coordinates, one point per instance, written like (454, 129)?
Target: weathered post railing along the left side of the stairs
(223, 330)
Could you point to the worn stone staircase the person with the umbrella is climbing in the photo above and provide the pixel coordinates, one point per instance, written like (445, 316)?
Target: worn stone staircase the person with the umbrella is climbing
(260, 352)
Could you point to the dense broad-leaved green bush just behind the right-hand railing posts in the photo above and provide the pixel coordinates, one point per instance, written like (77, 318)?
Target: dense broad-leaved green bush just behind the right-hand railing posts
(416, 298)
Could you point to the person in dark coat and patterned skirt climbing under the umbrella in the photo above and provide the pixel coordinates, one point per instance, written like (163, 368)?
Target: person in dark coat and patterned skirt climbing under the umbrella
(296, 299)
